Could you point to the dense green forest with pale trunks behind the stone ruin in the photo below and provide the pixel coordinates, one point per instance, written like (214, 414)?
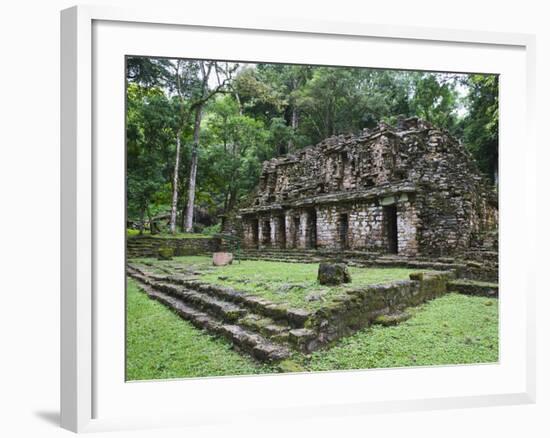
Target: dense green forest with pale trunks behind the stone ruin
(198, 130)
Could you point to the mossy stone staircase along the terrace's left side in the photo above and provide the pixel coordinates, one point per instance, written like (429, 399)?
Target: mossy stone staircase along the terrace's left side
(253, 325)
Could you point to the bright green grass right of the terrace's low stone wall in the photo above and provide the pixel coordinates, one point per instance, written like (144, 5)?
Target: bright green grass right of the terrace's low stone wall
(453, 329)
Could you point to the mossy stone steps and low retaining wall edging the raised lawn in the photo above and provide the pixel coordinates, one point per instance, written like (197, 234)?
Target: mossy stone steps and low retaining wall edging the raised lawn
(270, 331)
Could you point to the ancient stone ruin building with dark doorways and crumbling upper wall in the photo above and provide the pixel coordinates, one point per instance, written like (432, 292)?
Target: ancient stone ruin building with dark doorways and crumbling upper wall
(410, 190)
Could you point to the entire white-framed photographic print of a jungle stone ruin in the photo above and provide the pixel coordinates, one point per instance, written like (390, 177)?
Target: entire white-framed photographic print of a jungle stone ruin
(281, 218)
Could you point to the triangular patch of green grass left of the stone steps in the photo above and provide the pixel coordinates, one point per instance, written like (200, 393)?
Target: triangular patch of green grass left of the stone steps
(161, 345)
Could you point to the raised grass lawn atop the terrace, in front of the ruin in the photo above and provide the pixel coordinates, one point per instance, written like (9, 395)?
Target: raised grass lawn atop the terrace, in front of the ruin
(285, 283)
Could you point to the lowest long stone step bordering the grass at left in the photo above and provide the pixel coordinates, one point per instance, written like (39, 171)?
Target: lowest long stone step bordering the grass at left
(243, 339)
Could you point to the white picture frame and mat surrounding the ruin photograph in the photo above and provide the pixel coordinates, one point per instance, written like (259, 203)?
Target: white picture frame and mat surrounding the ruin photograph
(92, 392)
